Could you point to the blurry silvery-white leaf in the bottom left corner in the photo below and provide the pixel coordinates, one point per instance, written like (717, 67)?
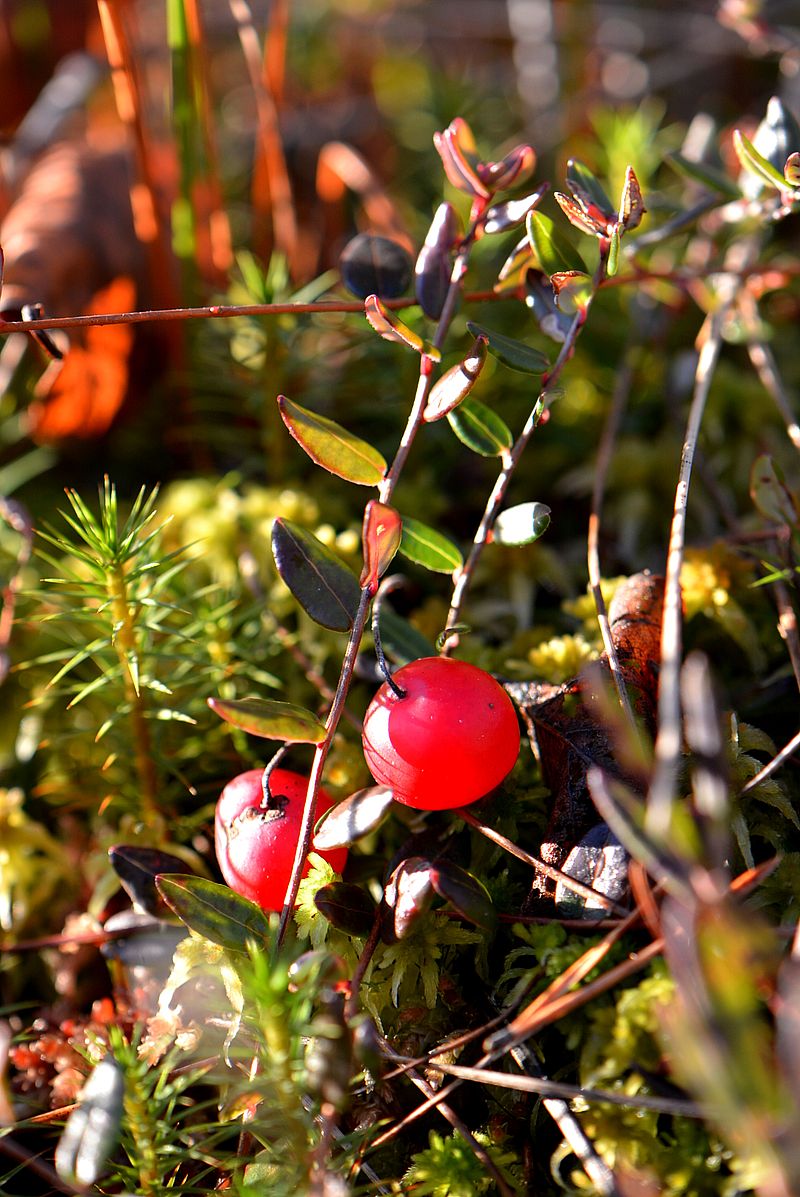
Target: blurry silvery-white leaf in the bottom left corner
(93, 1129)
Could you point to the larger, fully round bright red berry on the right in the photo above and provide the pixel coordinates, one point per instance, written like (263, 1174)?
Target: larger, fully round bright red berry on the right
(453, 738)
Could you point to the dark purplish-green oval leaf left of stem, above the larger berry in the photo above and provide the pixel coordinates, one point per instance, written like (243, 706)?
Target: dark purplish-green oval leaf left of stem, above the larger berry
(320, 581)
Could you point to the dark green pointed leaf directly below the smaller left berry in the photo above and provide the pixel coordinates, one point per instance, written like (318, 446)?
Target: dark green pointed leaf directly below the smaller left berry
(215, 912)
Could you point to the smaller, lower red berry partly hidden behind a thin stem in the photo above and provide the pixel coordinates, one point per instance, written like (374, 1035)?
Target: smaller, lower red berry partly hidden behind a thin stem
(256, 848)
